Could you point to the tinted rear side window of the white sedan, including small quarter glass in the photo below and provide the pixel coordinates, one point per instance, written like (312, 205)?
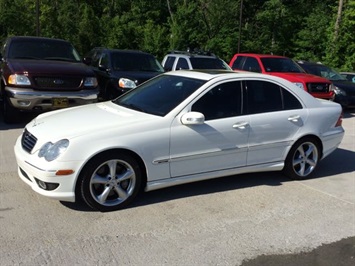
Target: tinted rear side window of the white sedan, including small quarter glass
(265, 97)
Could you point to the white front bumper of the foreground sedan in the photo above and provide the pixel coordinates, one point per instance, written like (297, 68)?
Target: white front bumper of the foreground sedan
(35, 171)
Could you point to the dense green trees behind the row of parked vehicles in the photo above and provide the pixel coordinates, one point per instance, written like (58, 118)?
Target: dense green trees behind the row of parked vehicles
(300, 29)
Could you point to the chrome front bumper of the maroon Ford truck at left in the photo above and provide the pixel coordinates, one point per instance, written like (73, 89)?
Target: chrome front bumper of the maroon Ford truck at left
(29, 99)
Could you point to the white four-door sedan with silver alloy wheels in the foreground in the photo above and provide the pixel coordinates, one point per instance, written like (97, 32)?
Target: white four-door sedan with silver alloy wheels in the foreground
(179, 127)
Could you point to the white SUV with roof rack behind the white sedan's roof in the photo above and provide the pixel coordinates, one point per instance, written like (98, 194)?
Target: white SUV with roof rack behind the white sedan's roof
(177, 60)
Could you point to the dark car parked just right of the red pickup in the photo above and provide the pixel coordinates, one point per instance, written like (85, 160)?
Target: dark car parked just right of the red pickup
(344, 89)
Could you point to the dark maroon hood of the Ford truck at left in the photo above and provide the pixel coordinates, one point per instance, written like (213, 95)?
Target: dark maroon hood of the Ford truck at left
(48, 67)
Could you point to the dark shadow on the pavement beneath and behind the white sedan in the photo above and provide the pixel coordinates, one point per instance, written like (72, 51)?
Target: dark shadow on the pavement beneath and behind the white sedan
(338, 162)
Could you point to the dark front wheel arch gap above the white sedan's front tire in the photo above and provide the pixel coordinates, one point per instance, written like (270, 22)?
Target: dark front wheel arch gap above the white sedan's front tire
(115, 150)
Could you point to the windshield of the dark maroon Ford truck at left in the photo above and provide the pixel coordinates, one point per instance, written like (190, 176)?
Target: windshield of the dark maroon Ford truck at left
(43, 49)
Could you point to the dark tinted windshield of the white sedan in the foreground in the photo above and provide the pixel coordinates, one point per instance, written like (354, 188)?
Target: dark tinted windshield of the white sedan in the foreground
(159, 95)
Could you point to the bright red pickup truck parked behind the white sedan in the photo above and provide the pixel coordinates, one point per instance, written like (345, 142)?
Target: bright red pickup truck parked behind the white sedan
(286, 68)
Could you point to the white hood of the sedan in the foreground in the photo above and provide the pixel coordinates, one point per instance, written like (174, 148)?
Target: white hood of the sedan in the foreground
(77, 121)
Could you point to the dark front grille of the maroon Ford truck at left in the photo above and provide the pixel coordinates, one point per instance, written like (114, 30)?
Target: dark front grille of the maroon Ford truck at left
(58, 82)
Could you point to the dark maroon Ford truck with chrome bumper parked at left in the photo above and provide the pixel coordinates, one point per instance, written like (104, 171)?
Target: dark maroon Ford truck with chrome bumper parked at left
(39, 74)
